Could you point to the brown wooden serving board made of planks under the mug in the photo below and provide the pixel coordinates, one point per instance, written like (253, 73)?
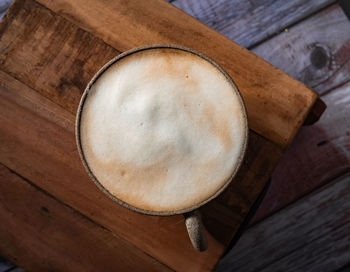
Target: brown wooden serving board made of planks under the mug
(52, 215)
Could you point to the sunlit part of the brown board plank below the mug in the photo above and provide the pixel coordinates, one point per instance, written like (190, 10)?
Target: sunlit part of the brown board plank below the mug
(37, 141)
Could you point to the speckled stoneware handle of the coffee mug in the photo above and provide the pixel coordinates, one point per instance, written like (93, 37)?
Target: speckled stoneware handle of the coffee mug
(195, 230)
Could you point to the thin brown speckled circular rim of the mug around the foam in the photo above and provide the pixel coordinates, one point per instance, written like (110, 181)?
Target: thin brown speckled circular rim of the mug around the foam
(80, 110)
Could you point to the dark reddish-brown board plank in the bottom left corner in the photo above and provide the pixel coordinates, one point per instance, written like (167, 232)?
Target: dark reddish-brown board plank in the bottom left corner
(47, 235)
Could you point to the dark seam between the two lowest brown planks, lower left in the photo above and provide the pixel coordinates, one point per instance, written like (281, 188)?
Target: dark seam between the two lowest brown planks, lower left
(79, 213)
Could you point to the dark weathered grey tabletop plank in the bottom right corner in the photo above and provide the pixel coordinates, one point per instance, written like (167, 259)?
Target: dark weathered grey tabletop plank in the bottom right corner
(311, 235)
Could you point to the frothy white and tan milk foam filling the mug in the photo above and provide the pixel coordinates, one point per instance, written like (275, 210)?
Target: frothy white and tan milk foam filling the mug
(162, 129)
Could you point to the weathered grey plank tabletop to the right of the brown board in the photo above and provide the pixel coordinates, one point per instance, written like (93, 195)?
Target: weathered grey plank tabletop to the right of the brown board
(303, 221)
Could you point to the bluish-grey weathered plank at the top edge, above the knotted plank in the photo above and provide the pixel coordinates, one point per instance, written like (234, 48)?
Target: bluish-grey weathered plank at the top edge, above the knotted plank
(250, 22)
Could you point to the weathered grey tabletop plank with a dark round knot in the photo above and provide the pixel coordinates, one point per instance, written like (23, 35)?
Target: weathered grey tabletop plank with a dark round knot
(315, 51)
